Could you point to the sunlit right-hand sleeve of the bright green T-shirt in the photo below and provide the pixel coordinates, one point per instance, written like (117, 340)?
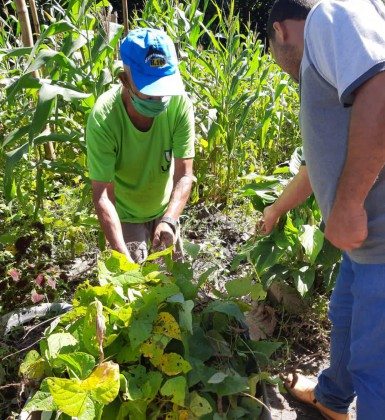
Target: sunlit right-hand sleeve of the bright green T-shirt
(184, 131)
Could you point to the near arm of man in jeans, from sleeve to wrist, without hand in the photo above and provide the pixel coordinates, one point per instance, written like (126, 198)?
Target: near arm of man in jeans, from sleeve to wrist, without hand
(366, 147)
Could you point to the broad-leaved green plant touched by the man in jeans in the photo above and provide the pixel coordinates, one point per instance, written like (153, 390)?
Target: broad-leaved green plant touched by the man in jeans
(296, 251)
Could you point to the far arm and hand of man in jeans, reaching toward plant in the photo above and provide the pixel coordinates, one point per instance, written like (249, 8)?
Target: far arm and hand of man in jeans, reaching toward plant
(295, 193)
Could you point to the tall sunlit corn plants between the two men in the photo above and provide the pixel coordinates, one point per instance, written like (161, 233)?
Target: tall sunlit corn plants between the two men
(243, 122)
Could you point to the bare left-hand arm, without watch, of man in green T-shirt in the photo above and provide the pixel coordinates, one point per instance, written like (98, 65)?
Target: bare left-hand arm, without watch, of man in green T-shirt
(104, 202)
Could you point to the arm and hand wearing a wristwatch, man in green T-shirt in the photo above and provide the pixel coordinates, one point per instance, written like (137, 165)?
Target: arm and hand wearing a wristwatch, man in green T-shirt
(183, 179)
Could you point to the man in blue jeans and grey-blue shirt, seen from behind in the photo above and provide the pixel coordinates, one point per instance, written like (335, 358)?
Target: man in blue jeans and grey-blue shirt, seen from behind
(336, 50)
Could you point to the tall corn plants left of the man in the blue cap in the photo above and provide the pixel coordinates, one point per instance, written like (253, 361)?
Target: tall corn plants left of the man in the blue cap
(75, 58)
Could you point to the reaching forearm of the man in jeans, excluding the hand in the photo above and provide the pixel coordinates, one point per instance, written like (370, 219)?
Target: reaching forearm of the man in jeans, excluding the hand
(295, 193)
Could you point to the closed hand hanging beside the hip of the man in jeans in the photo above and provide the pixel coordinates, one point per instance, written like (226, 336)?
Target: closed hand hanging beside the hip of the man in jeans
(347, 227)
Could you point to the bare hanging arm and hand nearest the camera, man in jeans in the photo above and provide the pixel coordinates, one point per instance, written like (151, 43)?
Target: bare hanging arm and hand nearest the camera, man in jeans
(346, 227)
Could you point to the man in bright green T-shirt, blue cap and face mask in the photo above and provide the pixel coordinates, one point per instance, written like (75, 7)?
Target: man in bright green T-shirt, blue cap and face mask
(140, 143)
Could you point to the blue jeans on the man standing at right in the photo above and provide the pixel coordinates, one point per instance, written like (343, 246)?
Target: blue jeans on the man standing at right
(357, 351)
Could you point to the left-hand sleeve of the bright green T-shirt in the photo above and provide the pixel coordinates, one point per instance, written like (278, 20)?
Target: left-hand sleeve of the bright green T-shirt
(101, 151)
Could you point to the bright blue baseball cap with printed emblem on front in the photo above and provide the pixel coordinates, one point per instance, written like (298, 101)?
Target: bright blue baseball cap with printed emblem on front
(150, 54)
